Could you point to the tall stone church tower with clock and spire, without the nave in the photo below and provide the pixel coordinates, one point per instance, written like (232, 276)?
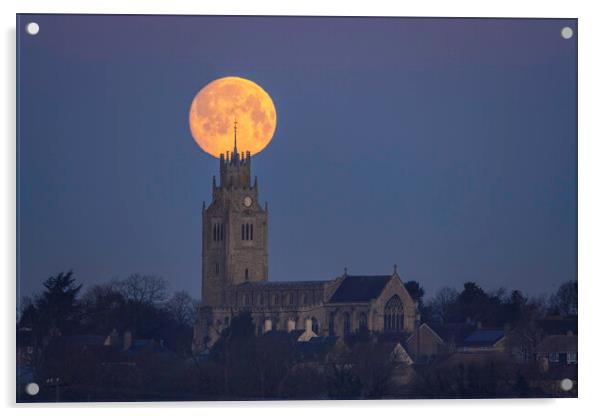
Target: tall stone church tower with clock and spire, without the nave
(235, 230)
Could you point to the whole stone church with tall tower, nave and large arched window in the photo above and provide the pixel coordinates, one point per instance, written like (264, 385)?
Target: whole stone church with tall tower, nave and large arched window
(235, 275)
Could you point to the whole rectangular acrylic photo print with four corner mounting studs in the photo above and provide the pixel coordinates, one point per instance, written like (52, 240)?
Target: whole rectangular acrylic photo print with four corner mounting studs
(420, 239)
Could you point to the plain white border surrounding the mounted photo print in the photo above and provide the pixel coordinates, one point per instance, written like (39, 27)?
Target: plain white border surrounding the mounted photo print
(590, 201)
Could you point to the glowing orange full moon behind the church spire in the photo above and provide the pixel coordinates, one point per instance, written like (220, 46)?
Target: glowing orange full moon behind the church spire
(221, 103)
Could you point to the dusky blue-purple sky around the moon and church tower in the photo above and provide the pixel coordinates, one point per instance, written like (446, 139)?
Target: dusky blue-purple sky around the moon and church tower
(447, 146)
